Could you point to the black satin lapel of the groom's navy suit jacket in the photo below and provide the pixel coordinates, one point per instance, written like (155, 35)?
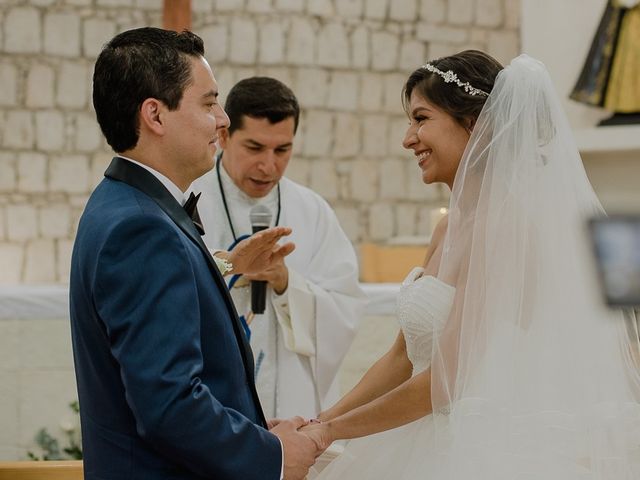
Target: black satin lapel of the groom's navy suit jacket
(143, 180)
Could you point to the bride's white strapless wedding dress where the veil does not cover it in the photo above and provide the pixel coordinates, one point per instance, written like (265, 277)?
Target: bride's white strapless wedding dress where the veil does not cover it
(423, 307)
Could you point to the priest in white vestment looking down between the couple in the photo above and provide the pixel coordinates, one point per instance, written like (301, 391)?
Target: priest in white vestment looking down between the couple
(313, 301)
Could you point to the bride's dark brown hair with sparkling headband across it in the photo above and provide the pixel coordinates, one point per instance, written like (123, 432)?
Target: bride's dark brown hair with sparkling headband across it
(473, 66)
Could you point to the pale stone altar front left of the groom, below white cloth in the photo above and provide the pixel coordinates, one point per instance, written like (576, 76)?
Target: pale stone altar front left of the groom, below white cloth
(37, 383)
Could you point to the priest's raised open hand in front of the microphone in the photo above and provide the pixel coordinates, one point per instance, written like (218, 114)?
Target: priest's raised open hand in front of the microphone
(259, 252)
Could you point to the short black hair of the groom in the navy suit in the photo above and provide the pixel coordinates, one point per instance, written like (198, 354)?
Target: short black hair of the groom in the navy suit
(135, 65)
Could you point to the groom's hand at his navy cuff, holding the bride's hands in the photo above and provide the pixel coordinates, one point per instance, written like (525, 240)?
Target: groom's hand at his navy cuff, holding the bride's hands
(299, 450)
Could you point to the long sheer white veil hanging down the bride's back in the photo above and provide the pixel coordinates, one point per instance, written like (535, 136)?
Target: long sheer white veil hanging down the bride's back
(532, 377)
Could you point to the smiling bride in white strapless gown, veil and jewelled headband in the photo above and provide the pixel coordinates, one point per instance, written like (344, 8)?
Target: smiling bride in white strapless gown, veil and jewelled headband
(507, 366)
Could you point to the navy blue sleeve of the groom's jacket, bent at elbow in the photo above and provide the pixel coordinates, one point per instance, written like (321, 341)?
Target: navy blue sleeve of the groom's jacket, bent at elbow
(147, 296)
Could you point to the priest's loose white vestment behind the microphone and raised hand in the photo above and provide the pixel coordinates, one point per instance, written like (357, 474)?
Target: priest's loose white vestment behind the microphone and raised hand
(302, 337)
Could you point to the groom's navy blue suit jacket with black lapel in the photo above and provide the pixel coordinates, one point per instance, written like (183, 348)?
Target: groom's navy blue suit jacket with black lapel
(164, 371)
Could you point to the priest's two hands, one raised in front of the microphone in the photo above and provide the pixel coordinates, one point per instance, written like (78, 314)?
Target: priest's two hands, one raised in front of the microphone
(260, 257)
